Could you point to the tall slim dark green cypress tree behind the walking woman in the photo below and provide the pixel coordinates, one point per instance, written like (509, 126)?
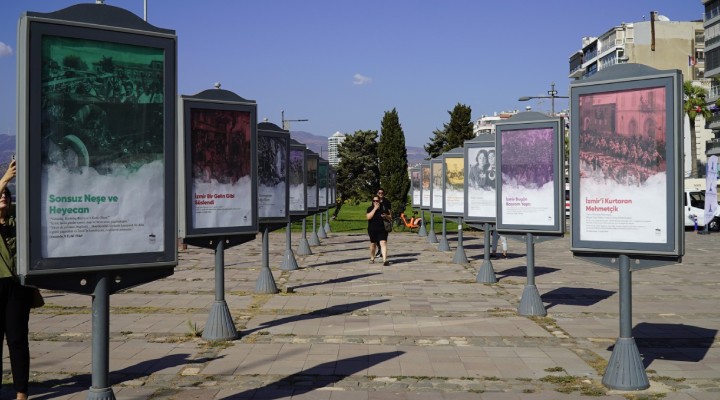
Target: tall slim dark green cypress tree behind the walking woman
(392, 155)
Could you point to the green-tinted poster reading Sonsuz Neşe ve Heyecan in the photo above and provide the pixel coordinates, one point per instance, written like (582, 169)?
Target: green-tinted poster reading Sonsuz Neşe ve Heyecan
(103, 120)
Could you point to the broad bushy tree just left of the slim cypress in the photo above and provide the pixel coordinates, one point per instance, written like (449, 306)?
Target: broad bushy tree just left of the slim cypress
(358, 174)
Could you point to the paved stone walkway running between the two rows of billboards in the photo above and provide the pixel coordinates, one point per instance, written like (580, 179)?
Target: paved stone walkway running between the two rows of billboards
(421, 328)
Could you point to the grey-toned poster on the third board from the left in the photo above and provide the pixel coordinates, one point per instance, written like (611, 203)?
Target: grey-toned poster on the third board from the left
(272, 173)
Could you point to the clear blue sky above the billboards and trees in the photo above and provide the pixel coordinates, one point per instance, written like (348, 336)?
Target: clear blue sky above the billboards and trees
(342, 64)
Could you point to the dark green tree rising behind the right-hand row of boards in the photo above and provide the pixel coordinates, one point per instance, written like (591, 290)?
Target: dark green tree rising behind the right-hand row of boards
(454, 133)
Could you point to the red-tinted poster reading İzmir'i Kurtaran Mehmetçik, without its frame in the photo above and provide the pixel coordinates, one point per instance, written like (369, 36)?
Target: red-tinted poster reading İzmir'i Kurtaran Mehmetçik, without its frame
(623, 166)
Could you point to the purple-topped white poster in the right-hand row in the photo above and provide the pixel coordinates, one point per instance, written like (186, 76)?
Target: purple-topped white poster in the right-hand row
(528, 193)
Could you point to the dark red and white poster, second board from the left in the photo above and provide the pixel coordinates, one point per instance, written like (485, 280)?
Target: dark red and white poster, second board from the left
(220, 148)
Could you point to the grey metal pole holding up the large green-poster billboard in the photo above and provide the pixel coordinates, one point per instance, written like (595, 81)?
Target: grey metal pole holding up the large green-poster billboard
(101, 340)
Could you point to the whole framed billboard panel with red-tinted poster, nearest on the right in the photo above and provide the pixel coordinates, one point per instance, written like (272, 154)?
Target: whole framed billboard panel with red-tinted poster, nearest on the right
(626, 154)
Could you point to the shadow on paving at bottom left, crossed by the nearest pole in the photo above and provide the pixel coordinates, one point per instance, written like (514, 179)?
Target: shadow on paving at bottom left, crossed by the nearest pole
(54, 388)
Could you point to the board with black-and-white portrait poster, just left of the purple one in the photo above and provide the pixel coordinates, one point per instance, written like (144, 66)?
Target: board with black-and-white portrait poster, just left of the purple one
(480, 193)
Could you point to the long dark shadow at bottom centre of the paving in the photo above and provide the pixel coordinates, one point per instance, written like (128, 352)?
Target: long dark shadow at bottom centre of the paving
(314, 378)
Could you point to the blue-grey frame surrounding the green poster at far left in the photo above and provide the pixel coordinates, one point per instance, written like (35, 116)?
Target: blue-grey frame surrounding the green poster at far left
(81, 22)
